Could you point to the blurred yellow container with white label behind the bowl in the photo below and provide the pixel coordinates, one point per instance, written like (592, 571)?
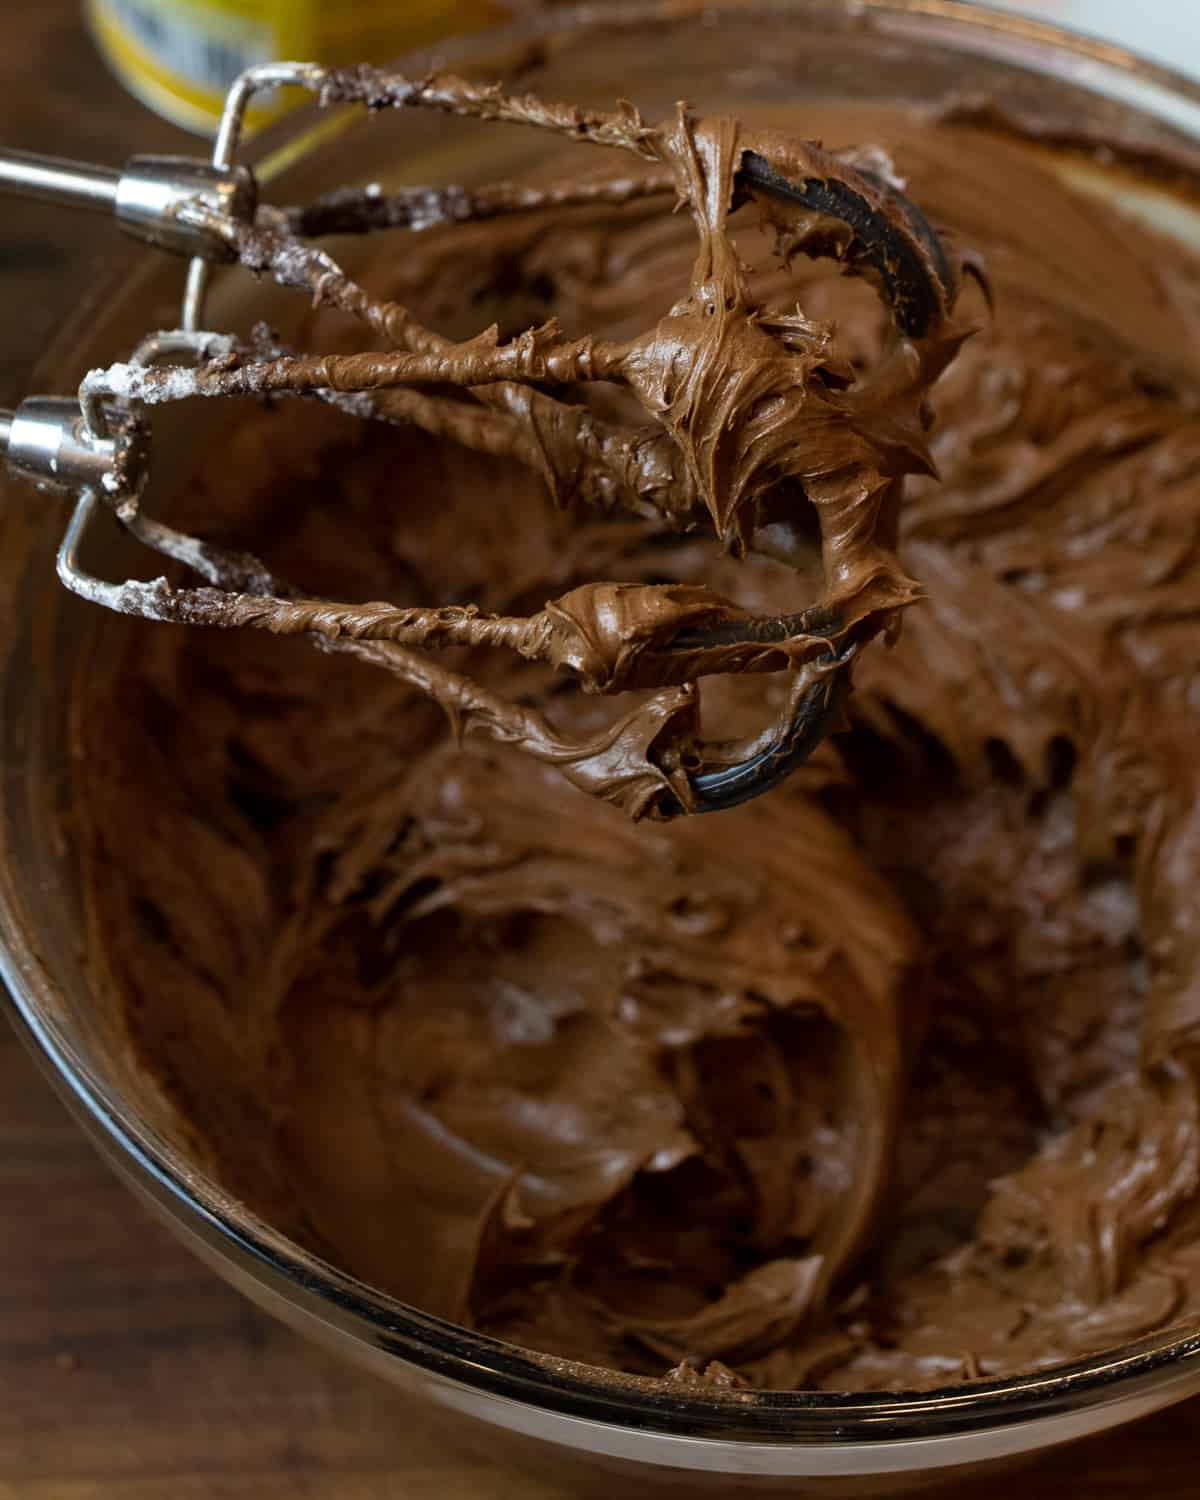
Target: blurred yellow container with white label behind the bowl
(181, 56)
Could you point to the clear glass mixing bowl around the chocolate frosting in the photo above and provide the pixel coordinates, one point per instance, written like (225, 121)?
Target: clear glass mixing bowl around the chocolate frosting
(583, 1426)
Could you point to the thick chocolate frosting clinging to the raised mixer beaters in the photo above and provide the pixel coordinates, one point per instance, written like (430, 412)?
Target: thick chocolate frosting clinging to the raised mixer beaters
(757, 425)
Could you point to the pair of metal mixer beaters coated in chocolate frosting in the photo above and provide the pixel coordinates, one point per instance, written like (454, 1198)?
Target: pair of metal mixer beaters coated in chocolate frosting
(751, 422)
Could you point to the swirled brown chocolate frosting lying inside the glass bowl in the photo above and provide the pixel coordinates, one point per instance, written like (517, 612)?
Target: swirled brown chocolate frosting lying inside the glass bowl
(884, 1081)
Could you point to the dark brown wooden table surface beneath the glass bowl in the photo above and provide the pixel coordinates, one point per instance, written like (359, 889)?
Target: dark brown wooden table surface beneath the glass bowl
(128, 1372)
